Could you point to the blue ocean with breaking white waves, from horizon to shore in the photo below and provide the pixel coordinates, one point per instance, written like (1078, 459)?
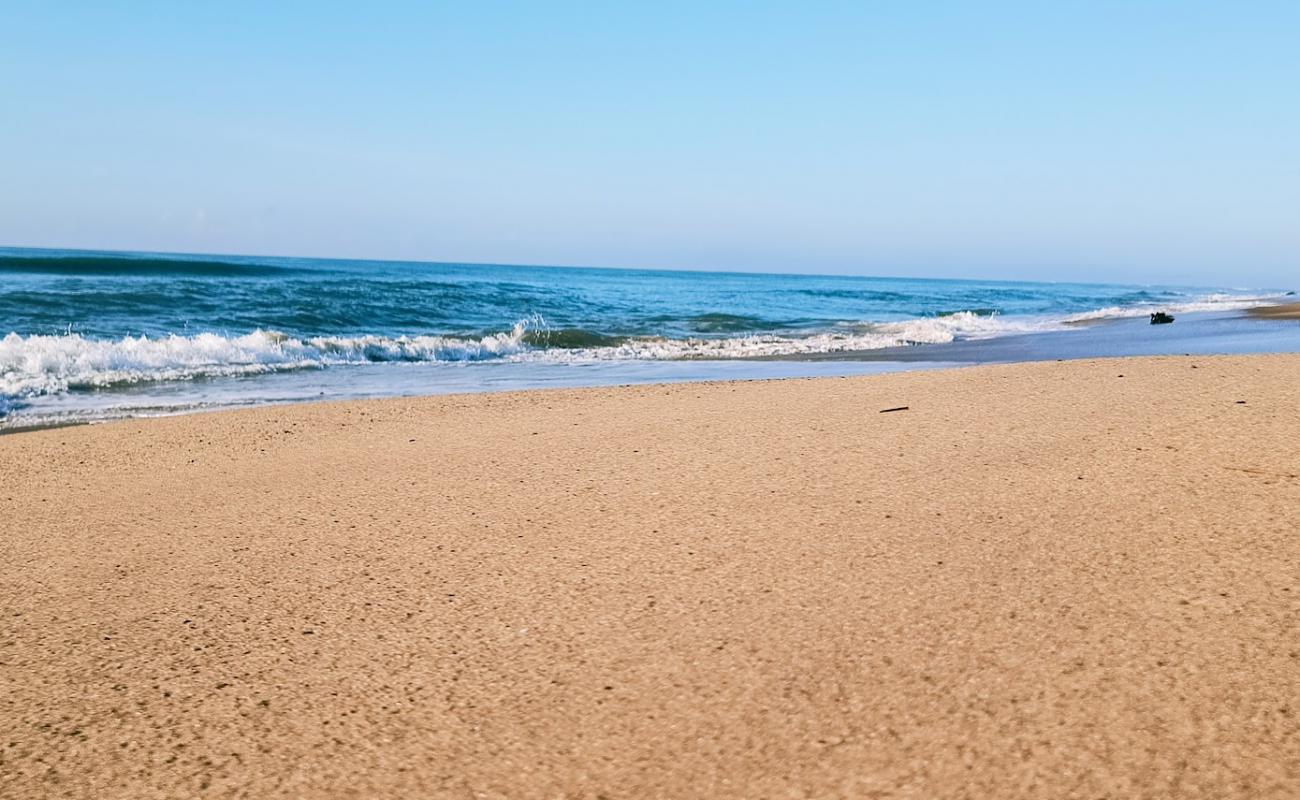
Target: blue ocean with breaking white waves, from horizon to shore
(92, 336)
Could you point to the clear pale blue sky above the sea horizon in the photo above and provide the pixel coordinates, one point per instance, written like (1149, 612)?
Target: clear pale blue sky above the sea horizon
(1139, 142)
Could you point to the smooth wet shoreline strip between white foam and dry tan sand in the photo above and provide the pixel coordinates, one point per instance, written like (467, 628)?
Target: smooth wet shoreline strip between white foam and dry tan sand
(1199, 334)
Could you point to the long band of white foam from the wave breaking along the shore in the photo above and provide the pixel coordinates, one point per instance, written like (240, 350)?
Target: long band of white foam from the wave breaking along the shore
(50, 365)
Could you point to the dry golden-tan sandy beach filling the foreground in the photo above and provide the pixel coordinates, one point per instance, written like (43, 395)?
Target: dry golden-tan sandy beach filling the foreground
(1074, 580)
